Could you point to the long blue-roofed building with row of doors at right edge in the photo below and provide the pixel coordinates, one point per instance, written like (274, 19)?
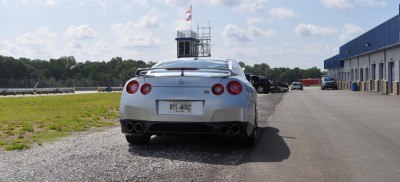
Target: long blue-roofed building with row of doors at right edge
(372, 60)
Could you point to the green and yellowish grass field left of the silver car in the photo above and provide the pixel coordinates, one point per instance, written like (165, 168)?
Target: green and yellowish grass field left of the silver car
(28, 120)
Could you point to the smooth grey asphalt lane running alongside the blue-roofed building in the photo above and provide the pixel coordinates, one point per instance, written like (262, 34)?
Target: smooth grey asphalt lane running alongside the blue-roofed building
(330, 136)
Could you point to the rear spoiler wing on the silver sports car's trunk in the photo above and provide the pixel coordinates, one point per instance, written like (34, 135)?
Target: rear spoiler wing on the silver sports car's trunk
(141, 72)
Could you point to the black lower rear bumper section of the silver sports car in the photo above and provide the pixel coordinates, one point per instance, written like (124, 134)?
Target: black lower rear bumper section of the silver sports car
(208, 128)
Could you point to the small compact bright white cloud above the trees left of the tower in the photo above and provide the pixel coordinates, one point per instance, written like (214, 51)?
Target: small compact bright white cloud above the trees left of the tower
(80, 32)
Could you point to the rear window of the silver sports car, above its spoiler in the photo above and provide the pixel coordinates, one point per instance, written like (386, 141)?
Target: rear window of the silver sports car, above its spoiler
(200, 64)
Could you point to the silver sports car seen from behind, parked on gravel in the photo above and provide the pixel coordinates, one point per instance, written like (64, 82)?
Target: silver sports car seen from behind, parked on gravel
(189, 96)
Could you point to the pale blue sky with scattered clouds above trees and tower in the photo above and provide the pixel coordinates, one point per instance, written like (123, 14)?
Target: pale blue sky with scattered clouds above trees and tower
(280, 33)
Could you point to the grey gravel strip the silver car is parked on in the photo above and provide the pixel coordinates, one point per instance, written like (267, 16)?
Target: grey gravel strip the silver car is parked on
(106, 156)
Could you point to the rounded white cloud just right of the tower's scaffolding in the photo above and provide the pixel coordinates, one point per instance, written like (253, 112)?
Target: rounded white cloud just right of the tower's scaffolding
(234, 35)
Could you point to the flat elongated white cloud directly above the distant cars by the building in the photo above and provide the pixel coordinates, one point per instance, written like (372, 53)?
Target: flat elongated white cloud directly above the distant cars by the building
(314, 30)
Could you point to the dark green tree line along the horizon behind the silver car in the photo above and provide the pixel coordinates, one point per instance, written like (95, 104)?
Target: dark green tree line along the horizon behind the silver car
(67, 72)
